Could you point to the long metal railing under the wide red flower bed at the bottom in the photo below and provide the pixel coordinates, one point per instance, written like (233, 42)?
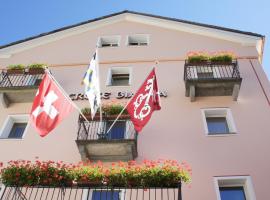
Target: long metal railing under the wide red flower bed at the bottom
(90, 193)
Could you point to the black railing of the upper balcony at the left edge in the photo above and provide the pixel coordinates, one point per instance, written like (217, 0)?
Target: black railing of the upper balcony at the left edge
(24, 80)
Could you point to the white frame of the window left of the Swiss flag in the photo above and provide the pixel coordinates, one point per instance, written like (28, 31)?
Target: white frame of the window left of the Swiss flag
(8, 124)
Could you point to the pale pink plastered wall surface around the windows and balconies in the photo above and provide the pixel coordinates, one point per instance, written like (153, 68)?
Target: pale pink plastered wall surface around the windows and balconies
(174, 132)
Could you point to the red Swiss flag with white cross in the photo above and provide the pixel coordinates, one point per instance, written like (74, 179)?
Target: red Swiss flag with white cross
(50, 106)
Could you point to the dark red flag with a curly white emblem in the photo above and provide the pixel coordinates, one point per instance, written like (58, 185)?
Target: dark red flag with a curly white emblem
(144, 102)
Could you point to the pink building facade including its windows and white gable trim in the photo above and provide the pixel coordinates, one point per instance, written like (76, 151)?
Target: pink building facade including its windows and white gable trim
(225, 138)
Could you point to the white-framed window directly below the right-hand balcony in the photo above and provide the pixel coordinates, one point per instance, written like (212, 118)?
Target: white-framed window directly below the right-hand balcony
(218, 121)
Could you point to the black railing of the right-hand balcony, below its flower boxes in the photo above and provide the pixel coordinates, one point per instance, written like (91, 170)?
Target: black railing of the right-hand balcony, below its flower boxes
(211, 71)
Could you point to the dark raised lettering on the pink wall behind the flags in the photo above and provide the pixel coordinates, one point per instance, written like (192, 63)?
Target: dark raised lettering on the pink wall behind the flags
(108, 95)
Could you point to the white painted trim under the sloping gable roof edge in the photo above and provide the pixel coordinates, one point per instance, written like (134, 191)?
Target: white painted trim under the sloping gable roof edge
(243, 39)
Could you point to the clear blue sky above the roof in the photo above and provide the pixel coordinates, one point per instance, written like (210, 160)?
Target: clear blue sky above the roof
(21, 19)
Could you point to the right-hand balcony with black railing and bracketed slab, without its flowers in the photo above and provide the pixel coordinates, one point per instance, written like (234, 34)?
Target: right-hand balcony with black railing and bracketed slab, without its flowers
(212, 79)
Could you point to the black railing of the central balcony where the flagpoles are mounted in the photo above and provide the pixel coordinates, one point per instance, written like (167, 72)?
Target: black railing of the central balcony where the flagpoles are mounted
(95, 130)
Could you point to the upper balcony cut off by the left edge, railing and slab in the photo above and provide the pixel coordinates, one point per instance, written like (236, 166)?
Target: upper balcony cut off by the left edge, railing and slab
(18, 88)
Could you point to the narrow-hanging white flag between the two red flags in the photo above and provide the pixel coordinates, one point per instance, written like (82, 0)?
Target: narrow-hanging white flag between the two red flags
(91, 83)
